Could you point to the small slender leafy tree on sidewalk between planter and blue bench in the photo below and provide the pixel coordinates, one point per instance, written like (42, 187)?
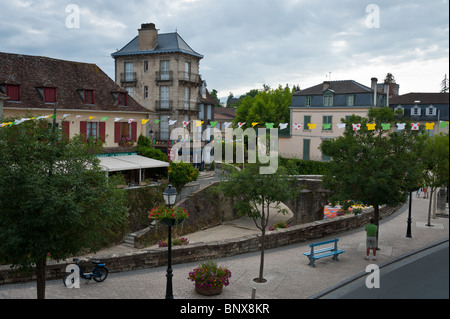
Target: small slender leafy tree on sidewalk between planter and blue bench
(253, 194)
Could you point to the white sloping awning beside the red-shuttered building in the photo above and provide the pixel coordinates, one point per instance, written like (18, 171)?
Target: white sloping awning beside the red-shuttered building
(129, 162)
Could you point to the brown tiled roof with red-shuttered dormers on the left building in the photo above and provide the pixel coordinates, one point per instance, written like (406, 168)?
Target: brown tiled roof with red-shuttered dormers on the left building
(31, 72)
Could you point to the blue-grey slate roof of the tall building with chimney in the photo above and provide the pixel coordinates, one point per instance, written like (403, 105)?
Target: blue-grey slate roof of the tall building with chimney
(167, 43)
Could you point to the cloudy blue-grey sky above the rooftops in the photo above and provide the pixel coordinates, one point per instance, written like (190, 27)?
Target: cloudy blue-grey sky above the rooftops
(248, 43)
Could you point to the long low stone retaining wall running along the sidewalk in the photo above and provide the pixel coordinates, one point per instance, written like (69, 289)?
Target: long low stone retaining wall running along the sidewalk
(204, 251)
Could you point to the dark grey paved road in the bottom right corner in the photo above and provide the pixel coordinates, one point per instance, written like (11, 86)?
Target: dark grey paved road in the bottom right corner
(420, 276)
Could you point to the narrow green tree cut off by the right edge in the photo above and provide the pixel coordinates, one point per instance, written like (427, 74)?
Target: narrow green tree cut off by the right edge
(435, 155)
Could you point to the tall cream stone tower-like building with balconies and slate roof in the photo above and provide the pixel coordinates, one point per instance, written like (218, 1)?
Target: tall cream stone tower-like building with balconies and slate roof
(161, 72)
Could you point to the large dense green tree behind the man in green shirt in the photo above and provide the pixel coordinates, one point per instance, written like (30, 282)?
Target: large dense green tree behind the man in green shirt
(374, 167)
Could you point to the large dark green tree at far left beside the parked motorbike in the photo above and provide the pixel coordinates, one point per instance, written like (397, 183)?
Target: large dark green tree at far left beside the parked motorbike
(55, 198)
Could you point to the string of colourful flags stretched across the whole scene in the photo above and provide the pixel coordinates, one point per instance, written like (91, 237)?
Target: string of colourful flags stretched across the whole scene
(212, 124)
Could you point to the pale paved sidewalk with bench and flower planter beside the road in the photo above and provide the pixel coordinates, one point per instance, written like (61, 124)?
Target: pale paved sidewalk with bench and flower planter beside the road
(286, 269)
